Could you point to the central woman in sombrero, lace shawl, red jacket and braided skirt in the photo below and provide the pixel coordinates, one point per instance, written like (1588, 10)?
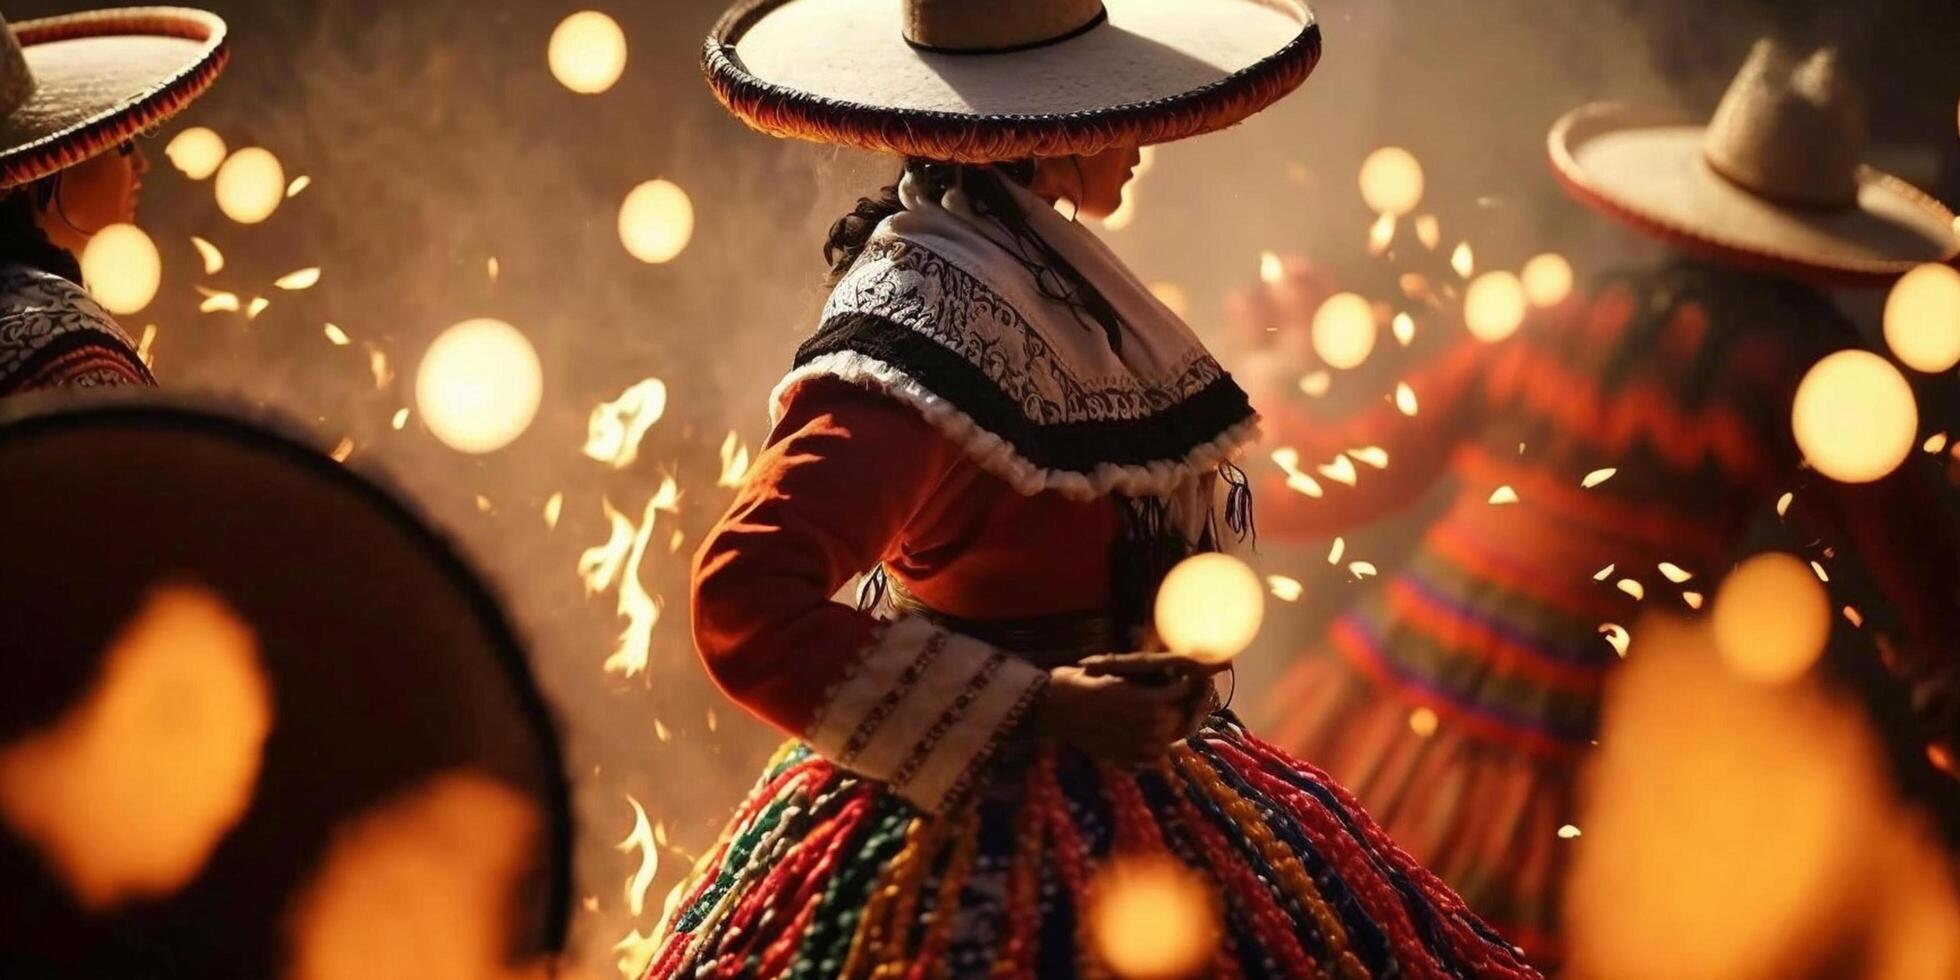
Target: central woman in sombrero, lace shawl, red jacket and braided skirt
(999, 416)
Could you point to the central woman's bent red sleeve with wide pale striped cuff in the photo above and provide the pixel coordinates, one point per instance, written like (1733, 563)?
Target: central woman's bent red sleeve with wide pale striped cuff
(828, 499)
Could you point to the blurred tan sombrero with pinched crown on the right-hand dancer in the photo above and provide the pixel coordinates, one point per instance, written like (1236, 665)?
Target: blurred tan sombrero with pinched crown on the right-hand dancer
(1775, 181)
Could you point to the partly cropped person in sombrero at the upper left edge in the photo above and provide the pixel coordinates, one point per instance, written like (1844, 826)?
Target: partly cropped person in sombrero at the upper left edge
(75, 95)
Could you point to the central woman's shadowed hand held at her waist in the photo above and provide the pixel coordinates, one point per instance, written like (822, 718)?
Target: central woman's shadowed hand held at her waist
(1126, 709)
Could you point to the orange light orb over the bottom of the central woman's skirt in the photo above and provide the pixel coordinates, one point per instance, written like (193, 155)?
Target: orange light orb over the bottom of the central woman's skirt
(1151, 918)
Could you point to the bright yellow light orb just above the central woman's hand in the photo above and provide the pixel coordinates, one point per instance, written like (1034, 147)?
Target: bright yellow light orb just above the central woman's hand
(1210, 607)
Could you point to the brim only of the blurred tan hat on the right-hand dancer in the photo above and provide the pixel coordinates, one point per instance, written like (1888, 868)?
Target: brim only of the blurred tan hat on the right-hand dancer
(1645, 168)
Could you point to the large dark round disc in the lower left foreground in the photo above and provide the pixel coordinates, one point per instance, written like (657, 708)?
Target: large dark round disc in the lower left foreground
(387, 660)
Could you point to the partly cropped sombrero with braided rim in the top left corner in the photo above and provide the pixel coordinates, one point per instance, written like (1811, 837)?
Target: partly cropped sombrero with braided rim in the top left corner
(77, 85)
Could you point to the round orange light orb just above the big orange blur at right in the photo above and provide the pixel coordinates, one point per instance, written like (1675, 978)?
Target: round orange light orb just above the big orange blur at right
(1771, 618)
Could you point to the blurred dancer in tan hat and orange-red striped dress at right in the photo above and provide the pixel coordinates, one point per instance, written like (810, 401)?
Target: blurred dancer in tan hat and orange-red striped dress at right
(1612, 452)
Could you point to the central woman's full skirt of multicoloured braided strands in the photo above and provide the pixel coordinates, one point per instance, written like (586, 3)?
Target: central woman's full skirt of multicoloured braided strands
(828, 875)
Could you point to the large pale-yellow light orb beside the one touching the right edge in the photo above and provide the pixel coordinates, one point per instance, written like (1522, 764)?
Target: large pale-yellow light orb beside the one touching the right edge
(1855, 416)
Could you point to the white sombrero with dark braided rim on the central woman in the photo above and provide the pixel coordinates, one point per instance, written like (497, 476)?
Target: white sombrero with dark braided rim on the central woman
(981, 81)
